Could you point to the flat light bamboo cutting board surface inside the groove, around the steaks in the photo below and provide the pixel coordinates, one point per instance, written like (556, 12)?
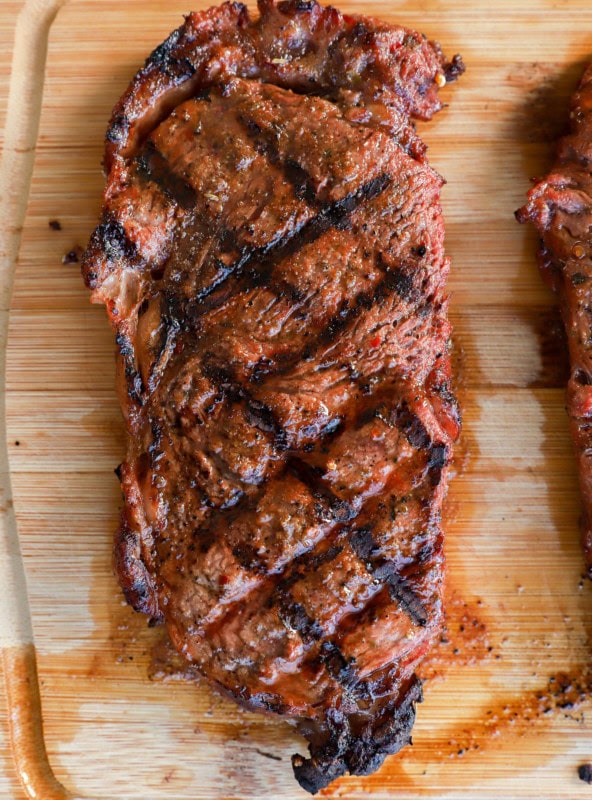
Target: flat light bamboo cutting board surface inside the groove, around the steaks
(506, 711)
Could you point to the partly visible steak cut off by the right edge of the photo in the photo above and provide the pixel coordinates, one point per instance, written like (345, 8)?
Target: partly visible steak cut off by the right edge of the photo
(560, 208)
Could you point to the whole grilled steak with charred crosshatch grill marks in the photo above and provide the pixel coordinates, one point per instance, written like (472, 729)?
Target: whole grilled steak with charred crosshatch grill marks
(271, 258)
